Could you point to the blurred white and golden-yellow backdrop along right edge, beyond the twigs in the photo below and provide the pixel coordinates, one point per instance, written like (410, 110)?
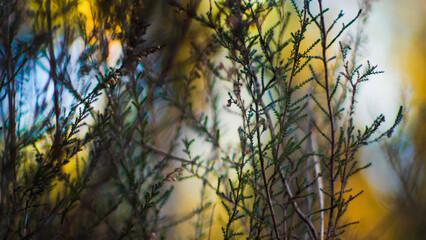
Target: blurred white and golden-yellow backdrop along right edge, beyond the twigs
(393, 207)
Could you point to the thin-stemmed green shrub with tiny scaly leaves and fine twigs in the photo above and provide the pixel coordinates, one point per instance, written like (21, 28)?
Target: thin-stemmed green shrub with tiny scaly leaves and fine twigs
(296, 137)
